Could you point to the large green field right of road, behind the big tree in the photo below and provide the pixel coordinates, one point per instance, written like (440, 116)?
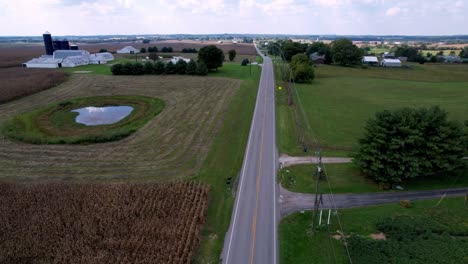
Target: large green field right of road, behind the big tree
(340, 100)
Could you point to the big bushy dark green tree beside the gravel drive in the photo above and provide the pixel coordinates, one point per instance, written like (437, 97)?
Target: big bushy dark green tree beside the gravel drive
(409, 143)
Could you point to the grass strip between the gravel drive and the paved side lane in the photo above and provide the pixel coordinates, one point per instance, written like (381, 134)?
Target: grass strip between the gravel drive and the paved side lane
(346, 178)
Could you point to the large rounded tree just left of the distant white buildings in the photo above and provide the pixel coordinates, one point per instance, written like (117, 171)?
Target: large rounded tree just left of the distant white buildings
(345, 53)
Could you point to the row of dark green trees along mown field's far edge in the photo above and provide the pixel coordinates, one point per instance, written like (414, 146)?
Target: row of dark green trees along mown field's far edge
(159, 67)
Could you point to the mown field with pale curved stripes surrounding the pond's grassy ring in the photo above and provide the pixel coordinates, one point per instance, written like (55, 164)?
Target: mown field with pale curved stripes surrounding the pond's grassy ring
(172, 145)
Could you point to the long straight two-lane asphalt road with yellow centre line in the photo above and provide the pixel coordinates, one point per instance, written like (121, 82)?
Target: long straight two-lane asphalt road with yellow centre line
(252, 236)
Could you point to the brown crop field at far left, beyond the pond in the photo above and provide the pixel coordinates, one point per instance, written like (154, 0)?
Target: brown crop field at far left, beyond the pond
(18, 82)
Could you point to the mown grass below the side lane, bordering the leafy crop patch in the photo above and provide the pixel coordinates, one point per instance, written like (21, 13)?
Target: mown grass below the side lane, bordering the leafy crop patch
(297, 246)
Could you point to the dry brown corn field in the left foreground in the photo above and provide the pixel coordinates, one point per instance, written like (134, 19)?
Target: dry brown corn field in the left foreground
(100, 223)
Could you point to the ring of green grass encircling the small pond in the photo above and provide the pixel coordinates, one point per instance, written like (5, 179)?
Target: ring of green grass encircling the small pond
(55, 124)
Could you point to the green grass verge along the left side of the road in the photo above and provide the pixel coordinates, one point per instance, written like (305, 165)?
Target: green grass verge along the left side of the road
(225, 160)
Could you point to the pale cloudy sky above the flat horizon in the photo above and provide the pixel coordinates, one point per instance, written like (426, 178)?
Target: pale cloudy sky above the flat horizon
(356, 17)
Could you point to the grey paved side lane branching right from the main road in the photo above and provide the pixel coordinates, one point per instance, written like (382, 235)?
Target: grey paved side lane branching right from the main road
(292, 202)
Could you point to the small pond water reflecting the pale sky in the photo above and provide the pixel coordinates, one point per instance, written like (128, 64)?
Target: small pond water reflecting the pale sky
(94, 116)
